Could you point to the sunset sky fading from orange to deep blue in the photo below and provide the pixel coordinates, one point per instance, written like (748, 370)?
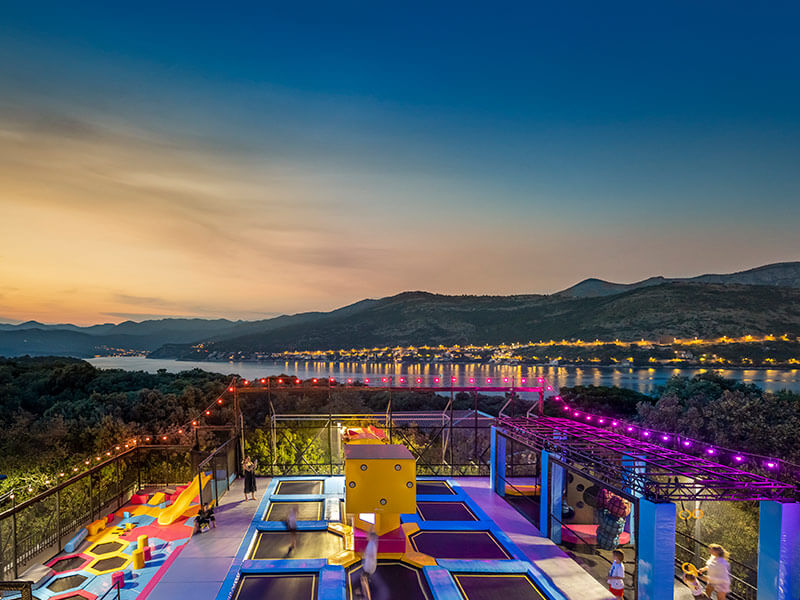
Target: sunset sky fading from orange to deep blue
(246, 161)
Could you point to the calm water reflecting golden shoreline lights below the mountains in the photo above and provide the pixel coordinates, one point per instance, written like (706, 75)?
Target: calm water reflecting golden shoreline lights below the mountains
(639, 379)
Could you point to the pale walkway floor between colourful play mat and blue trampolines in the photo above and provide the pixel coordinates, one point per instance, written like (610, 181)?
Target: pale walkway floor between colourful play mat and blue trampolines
(198, 571)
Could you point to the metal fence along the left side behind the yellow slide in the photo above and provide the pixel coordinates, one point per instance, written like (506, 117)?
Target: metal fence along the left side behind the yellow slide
(36, 529)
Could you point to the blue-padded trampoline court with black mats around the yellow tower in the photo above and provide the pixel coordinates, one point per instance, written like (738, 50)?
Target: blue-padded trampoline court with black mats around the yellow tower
(451, 550)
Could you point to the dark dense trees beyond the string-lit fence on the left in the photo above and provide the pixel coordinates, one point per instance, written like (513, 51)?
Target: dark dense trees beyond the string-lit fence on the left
(55, 411)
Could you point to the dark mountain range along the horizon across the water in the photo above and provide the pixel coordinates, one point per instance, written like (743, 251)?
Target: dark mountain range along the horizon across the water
(758, 301)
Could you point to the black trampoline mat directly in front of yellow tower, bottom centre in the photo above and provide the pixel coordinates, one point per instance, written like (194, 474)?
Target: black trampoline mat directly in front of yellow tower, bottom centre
(392, 581)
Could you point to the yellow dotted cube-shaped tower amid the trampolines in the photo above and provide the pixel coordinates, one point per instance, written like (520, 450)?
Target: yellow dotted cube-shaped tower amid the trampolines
(380, 480)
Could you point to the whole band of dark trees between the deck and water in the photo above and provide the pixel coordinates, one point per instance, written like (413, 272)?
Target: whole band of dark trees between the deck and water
(56, 410)
